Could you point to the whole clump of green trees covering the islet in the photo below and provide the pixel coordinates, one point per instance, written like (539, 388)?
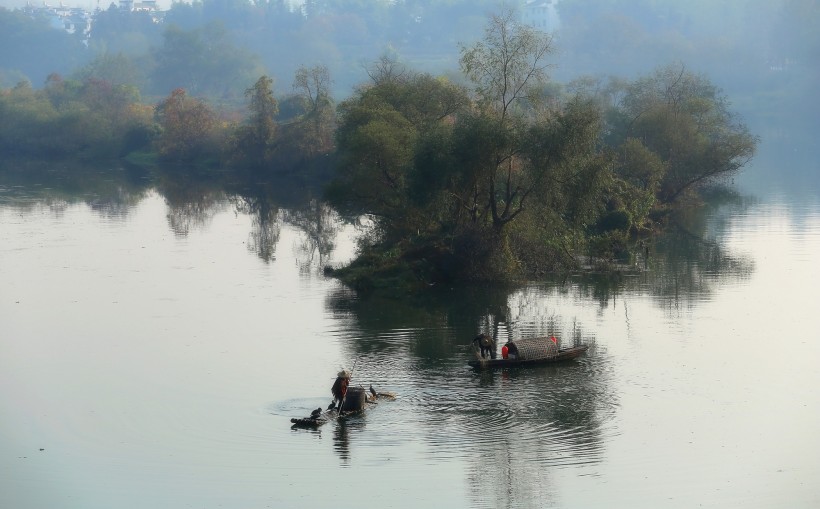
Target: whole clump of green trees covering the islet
(520, 180)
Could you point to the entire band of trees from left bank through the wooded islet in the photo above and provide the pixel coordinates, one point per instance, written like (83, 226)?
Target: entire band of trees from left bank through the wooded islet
(502, 174)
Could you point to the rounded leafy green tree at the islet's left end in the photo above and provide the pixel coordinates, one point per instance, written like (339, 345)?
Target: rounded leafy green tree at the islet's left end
(381, 137)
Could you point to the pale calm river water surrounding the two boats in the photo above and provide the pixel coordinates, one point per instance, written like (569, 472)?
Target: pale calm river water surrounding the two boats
(153, 359)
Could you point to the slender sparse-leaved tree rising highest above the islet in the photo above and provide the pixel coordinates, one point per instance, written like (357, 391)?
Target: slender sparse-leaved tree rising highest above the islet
(508, 70)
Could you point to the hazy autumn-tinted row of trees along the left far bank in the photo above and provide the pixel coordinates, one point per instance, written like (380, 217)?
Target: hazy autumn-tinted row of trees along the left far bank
(95, 119)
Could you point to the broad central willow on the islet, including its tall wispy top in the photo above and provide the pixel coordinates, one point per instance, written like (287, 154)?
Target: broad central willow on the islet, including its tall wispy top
(533, 176)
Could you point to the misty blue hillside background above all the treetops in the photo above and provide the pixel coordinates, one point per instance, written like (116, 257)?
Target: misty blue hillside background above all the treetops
(764, 54)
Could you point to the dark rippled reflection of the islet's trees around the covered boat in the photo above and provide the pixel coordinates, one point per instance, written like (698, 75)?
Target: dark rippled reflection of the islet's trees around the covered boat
(509, 423)
